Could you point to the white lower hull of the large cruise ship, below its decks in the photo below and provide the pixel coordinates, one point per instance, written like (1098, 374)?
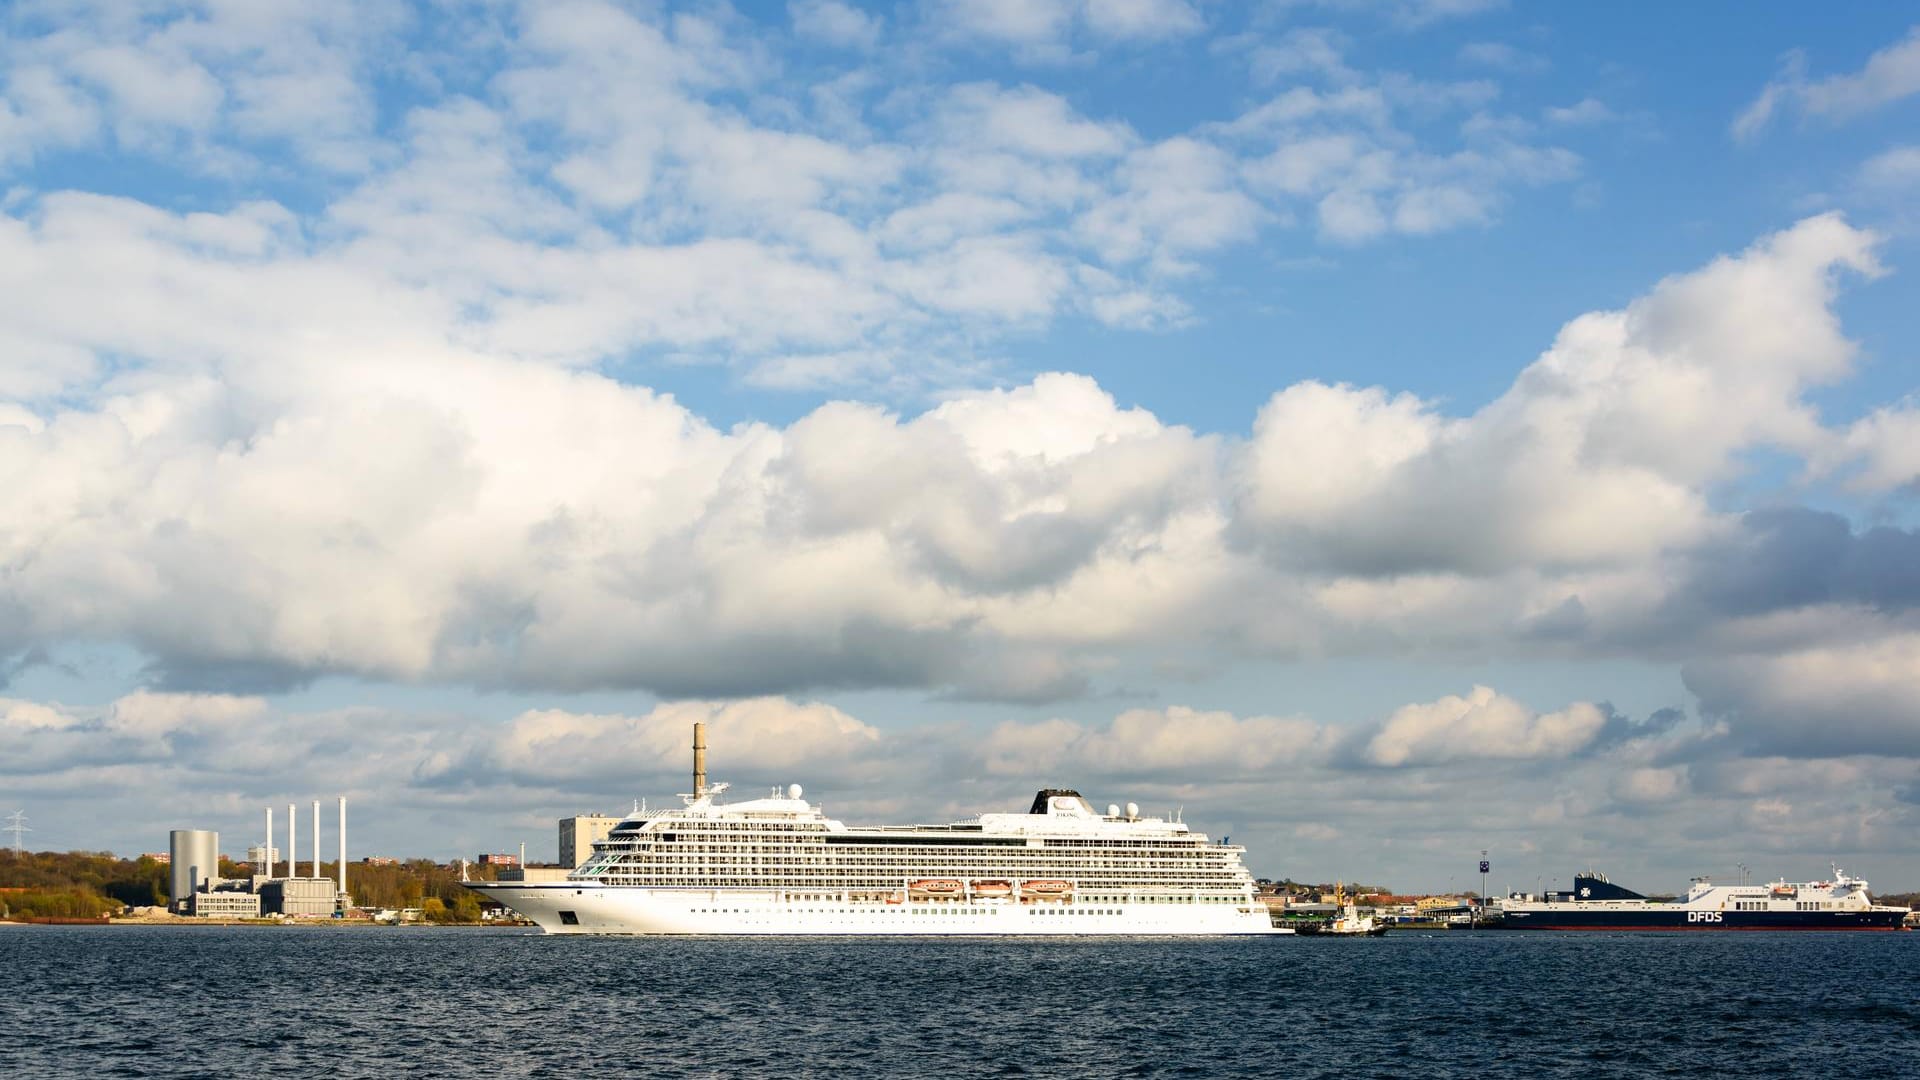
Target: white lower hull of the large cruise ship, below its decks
(571, 908)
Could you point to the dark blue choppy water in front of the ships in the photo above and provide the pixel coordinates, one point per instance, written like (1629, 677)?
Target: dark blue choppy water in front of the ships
(385, 1002)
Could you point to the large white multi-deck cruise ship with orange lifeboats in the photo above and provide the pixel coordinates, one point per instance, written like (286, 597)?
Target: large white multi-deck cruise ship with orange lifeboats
(779, 866)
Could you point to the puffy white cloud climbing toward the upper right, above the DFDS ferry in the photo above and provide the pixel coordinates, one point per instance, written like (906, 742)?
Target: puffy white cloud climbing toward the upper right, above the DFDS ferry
(1598, 454)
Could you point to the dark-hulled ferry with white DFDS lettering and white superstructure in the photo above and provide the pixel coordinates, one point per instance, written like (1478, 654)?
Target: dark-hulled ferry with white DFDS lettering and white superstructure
(1596, 904)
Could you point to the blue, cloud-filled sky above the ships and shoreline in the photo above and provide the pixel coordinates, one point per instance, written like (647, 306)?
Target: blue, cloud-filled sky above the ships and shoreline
(1378, 431)
